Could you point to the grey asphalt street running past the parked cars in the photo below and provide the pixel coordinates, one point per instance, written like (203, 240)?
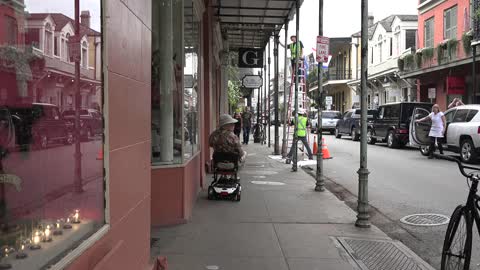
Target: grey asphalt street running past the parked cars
(401, 182)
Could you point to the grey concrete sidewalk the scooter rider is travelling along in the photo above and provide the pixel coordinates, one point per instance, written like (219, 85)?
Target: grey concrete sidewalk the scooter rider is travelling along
(281, 223)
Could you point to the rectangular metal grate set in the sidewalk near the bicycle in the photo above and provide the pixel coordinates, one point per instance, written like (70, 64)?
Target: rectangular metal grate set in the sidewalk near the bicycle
(382, 255)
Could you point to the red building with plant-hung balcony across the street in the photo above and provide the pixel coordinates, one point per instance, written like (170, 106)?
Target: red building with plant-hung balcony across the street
(442, 65)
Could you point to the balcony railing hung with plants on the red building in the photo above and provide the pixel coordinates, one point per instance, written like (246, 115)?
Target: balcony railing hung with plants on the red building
(444, 53)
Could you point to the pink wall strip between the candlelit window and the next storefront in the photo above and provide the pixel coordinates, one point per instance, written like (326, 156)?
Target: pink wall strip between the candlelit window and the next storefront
(128, 38)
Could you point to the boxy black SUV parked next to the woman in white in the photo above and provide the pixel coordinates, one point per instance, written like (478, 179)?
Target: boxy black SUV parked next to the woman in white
(391, 123)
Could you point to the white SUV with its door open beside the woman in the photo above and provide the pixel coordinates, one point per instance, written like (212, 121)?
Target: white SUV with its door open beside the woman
(462, 133)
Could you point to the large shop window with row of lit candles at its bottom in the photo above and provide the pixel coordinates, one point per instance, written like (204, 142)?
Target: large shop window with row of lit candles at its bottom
(51, 185)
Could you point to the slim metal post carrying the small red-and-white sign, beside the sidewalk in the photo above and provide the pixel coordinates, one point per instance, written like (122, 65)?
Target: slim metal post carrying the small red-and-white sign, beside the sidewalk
(320, 180)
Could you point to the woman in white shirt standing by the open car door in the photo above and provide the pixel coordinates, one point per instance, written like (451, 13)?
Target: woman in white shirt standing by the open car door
(437, 130)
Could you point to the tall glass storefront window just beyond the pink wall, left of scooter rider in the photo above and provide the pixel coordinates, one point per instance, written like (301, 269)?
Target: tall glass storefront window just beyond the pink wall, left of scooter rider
(175, 88)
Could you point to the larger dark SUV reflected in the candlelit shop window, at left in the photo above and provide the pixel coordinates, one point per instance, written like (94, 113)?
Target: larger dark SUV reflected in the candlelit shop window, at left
(40, 124)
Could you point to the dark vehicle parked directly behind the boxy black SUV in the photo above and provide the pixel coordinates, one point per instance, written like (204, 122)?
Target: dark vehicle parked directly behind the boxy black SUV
(349, 124)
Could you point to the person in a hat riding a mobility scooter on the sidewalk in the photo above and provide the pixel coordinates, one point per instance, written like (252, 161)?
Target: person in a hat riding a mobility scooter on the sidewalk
(227, 155)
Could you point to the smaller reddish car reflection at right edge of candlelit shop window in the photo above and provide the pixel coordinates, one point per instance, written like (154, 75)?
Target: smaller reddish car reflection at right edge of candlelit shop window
(91, 122)
